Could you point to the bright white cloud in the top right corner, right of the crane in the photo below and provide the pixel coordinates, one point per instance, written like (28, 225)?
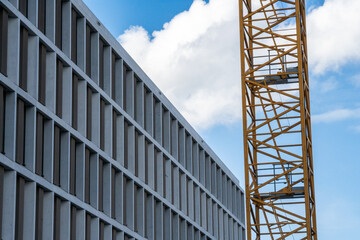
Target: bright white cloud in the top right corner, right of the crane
(333, 33)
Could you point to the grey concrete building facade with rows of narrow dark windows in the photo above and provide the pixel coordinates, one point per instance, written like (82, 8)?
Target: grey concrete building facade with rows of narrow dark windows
(89, 146)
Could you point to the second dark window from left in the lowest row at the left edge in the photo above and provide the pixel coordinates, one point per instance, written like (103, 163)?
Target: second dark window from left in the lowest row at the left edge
(19, 220)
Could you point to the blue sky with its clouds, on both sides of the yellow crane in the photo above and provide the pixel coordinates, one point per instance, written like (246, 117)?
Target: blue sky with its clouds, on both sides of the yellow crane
(207, 37)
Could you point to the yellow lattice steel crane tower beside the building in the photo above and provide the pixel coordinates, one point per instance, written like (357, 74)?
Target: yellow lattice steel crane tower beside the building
(279, 176)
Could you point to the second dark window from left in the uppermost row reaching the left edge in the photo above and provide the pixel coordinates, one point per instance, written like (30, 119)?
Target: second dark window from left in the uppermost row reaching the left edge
(24, 36)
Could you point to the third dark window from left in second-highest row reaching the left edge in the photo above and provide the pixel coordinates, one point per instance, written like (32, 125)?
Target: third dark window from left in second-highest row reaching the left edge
(39, 144)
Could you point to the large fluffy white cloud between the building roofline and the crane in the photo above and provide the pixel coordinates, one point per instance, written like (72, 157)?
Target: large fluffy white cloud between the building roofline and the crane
(195, 60)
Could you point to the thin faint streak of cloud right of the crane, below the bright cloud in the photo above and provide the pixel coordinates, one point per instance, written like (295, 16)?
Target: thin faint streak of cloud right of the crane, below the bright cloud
(336, 115)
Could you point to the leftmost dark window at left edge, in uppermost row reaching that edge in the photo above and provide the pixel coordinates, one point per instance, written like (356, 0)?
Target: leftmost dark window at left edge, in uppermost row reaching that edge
(3, 40)
